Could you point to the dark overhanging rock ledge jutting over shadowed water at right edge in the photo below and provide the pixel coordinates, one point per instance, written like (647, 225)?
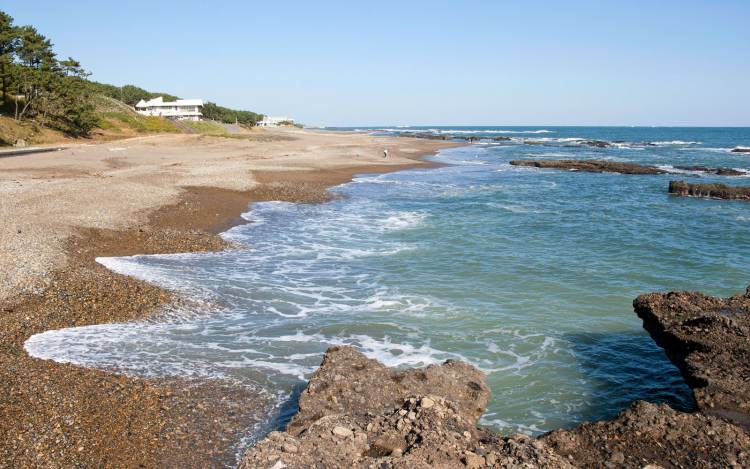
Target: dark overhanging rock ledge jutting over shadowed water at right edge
(708, 339)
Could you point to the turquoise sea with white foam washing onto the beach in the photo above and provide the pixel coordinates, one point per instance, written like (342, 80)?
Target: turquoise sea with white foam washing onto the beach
(528, 274)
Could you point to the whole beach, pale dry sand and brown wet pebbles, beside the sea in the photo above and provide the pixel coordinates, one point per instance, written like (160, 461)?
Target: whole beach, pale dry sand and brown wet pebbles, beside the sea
(156, 194)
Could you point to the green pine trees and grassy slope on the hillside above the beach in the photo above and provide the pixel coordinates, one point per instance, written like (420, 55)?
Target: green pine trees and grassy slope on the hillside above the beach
(44, 94)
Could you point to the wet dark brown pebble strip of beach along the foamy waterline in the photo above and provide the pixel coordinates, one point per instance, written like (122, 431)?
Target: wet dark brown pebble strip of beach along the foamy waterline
(69, 415)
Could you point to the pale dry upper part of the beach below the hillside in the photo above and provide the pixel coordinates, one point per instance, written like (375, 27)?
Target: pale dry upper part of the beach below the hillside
(45, 197)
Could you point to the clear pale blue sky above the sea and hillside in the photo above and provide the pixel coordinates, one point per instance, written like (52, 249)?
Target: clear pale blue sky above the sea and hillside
(349, 63)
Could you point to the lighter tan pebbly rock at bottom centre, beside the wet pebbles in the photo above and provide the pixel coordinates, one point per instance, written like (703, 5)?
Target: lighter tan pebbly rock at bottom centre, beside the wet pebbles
(419, 418)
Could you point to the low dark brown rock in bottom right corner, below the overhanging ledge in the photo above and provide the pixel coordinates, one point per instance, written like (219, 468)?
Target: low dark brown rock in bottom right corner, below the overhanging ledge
(653, 435)
